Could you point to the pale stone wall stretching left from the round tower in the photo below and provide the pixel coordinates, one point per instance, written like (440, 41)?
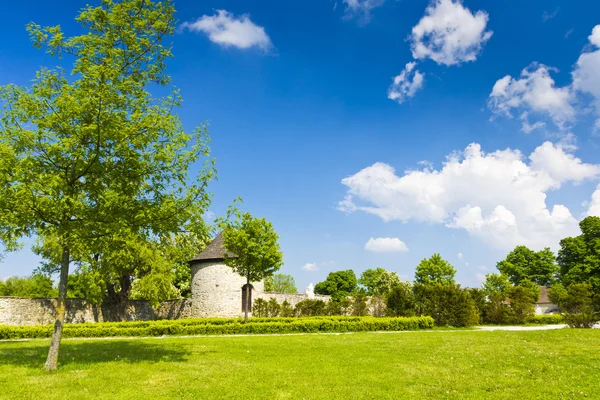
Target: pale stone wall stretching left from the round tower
(22, 311)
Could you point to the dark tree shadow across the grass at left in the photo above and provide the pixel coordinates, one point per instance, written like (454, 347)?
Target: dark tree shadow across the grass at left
(34, 355)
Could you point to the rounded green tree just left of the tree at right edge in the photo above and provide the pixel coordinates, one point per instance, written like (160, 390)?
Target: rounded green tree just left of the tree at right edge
(525, 264)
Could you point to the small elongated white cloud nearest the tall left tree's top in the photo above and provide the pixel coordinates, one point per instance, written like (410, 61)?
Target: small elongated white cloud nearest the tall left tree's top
(229, 31)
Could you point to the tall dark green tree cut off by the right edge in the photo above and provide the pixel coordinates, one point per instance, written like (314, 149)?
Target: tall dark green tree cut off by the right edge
(579, 257)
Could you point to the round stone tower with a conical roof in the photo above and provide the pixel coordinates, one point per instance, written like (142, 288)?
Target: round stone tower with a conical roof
(216, 289)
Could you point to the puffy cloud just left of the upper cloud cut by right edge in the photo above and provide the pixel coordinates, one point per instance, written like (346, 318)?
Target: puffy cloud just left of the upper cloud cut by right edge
(535, 90)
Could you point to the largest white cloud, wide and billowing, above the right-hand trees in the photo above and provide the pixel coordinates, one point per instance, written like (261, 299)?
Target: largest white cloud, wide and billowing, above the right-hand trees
(499, 197)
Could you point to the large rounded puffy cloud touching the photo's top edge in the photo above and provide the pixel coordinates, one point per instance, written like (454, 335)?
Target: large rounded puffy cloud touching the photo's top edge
(449, 33)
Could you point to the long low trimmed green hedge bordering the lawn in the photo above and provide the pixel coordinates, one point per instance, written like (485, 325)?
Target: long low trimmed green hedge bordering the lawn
(216, 326)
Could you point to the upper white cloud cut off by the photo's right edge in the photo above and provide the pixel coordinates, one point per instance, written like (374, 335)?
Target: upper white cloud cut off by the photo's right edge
(586, 75)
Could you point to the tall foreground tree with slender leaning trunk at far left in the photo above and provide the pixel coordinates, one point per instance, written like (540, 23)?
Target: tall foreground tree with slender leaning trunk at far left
(89, 157)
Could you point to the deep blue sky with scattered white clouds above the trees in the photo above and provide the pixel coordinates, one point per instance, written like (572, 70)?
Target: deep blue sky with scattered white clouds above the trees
(488, 138)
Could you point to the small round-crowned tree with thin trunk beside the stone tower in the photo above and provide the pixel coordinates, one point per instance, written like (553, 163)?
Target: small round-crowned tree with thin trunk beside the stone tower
(252, 251)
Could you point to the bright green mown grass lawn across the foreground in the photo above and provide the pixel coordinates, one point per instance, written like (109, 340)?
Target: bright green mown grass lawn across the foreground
(456, 364)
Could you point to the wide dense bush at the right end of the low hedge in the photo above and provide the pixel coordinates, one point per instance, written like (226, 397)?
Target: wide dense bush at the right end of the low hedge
(449, 305)
